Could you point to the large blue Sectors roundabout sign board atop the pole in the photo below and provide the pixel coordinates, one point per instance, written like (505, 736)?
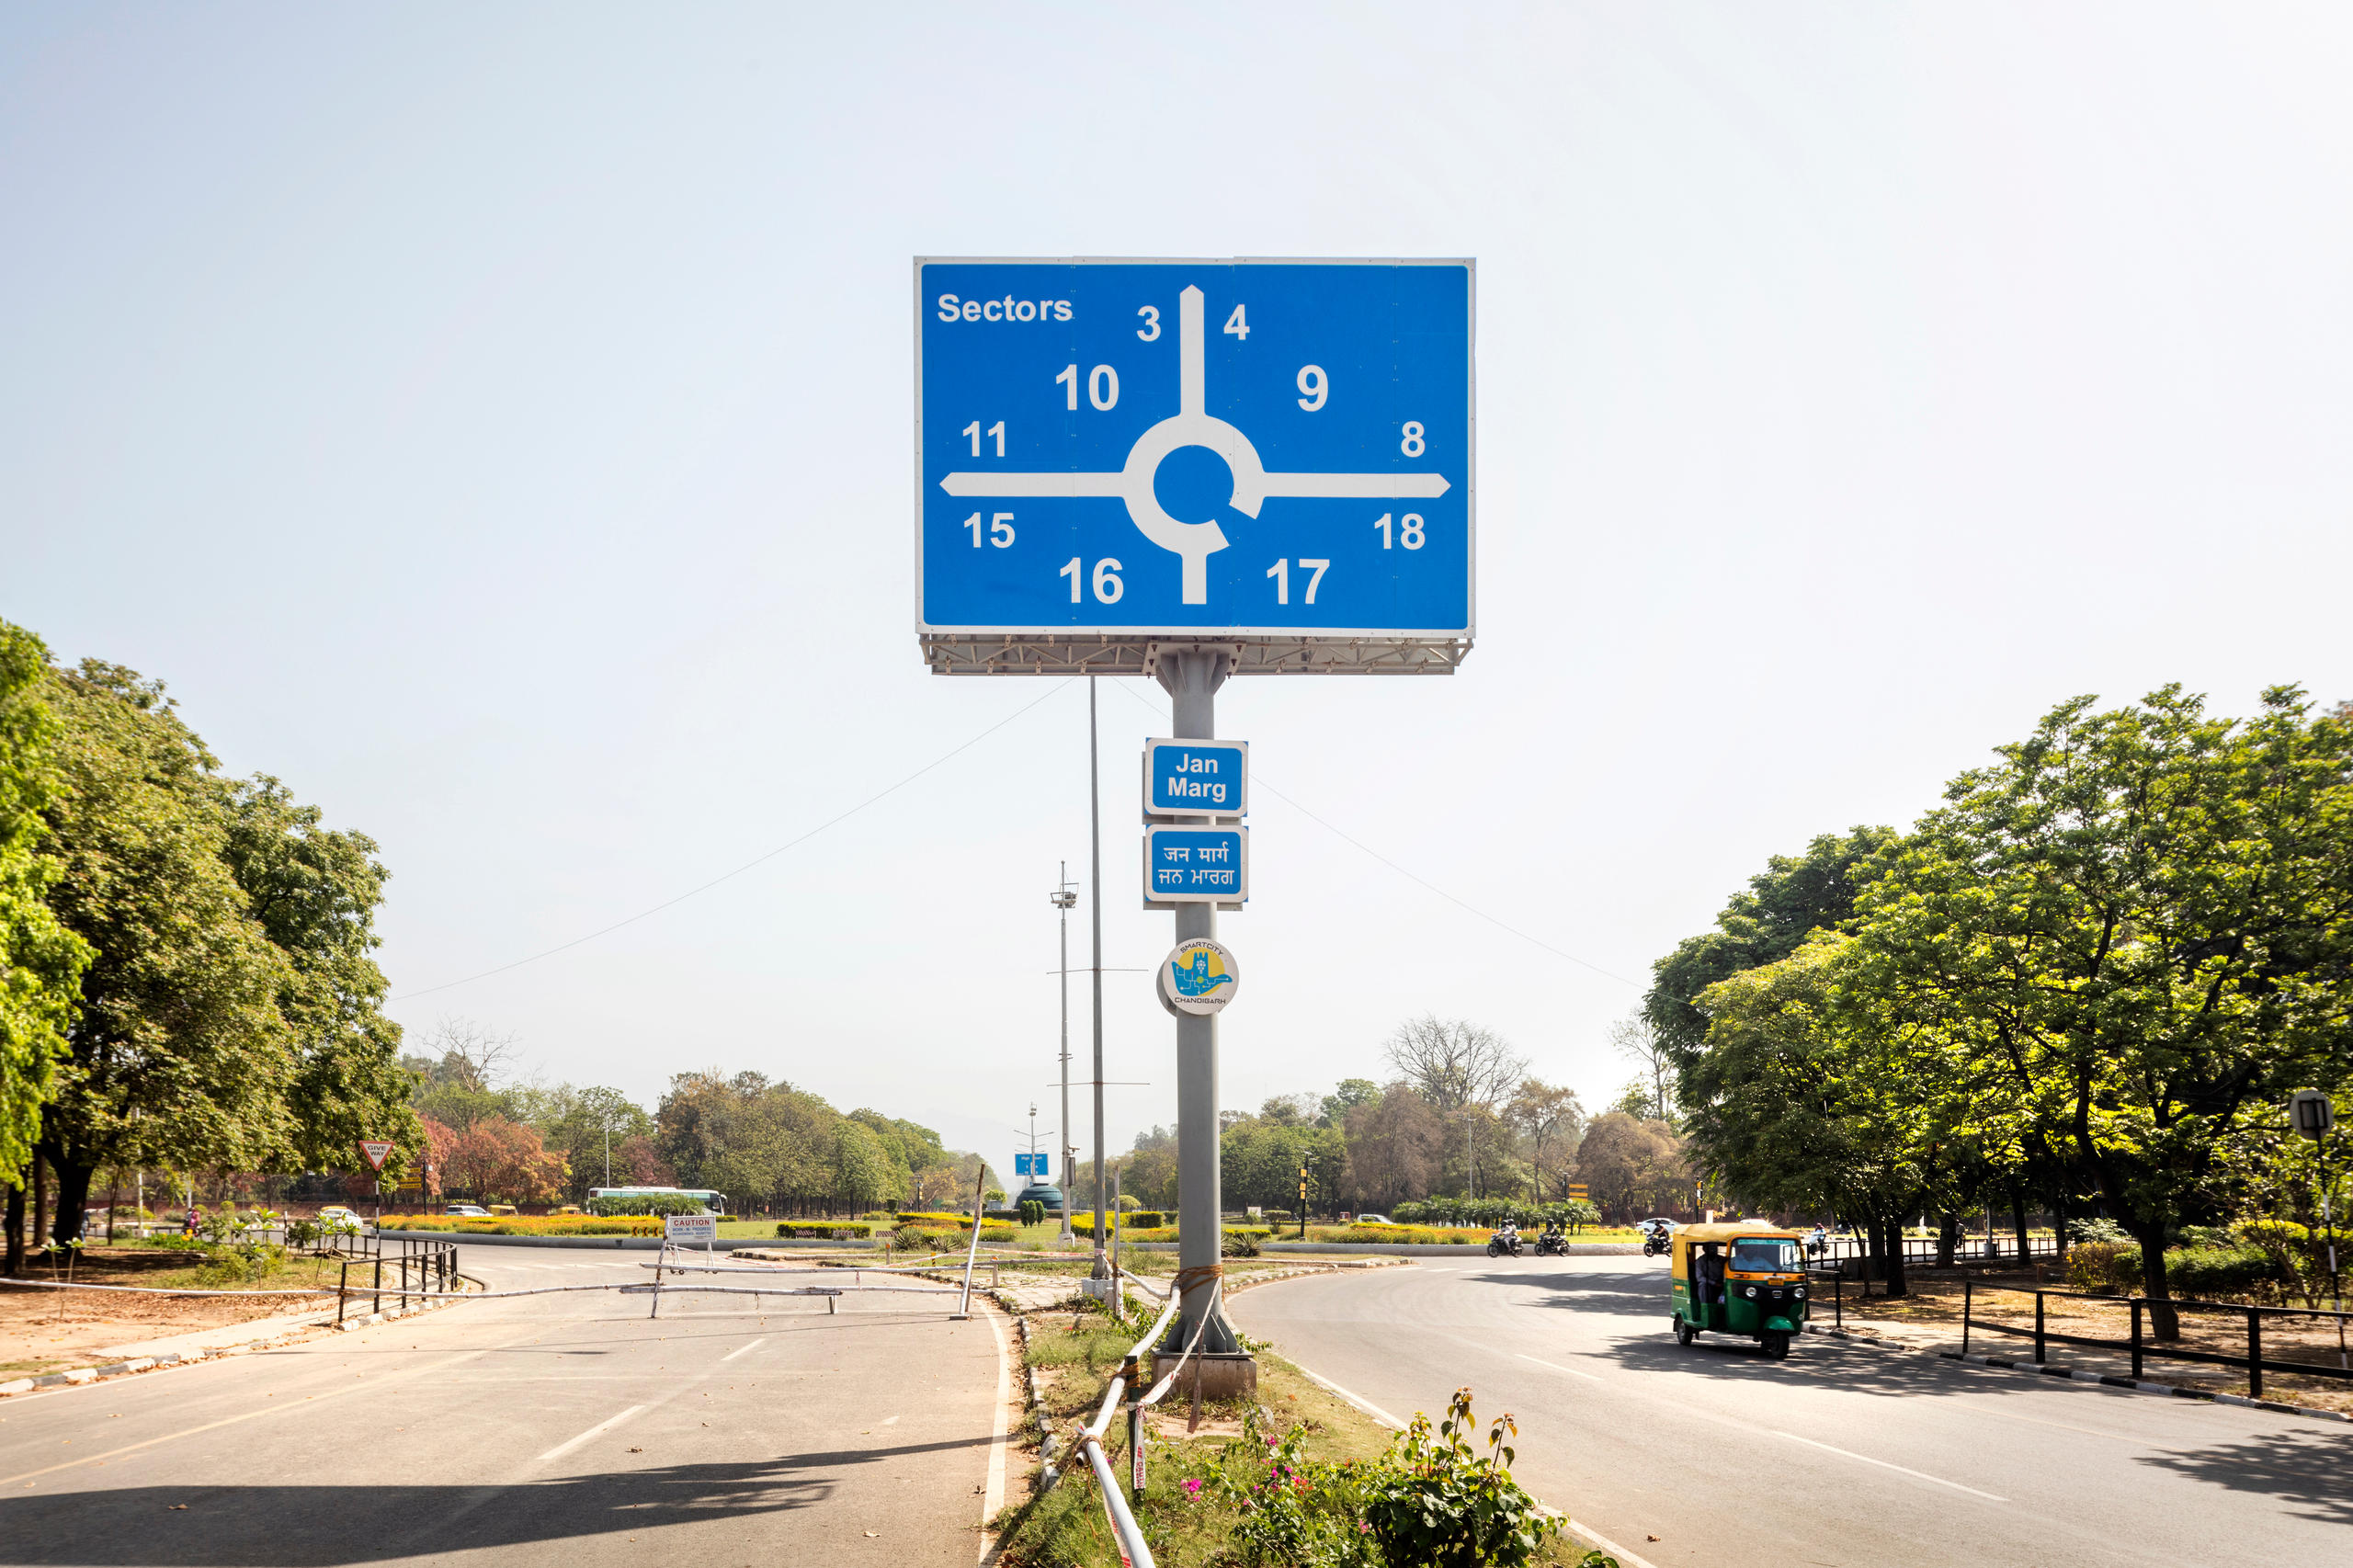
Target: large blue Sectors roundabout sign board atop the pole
(1208, 449)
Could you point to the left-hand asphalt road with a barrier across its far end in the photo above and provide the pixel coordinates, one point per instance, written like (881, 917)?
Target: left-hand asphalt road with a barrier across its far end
(547, 1430)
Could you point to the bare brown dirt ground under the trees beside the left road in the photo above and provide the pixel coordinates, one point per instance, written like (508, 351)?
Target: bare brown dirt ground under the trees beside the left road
(44, 1331)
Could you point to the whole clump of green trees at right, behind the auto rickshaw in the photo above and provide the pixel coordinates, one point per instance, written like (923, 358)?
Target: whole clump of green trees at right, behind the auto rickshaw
(2084, 985)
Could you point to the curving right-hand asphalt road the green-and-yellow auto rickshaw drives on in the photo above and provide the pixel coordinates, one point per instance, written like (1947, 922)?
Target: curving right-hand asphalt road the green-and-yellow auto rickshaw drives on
(1839, 1456)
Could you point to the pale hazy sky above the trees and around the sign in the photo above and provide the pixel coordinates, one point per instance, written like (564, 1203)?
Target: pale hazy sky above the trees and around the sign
(495, 423)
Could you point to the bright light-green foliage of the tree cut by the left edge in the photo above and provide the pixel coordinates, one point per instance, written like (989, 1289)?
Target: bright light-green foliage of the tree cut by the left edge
(41, 962)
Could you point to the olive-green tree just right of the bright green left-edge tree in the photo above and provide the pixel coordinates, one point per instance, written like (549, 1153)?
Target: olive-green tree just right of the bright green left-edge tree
(180, 1051)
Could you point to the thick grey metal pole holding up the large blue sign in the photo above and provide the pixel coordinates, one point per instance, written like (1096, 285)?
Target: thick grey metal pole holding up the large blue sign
(1192, 682)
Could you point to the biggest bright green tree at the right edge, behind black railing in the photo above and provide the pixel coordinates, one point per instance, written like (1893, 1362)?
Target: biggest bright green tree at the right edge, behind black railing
(2140, 922)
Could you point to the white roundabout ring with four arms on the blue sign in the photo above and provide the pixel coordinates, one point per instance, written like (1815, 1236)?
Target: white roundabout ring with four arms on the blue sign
(1194, 427)
